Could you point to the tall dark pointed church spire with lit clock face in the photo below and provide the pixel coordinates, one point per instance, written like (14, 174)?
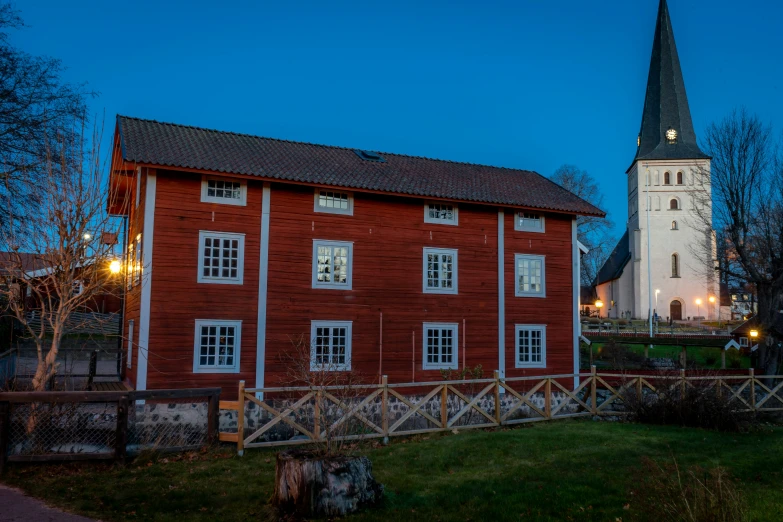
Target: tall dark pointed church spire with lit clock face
(667, 128)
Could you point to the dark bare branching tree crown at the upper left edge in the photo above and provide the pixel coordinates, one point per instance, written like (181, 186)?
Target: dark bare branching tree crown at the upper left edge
(35, 104)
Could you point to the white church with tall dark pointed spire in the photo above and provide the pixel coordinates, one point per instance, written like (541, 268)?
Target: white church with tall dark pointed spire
(670, 177)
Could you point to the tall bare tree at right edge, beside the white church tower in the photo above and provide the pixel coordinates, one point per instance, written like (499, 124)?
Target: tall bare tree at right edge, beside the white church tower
(746, 206)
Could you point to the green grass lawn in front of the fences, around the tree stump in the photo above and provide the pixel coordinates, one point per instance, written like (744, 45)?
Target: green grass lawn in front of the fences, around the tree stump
(562, 470)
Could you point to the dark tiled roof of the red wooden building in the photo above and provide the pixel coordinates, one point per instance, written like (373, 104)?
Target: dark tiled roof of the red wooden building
(170, 145)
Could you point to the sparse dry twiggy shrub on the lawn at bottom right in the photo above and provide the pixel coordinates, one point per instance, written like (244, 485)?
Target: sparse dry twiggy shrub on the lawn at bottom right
(669, 493)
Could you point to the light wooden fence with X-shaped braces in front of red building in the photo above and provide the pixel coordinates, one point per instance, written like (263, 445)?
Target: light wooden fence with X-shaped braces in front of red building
(496, 402)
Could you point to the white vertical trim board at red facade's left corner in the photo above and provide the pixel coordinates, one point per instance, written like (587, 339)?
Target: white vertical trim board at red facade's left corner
(146, 281)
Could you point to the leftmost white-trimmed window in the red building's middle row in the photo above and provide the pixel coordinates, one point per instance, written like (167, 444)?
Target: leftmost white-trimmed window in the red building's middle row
(221, 257)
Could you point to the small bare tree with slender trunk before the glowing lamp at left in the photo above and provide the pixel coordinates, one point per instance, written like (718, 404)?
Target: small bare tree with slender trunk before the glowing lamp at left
(59, 258)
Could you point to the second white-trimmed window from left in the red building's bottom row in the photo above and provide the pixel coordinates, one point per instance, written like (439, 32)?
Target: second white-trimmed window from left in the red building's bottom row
(330, 345)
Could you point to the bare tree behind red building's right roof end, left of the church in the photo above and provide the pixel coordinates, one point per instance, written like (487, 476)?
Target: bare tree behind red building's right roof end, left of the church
(593, 232)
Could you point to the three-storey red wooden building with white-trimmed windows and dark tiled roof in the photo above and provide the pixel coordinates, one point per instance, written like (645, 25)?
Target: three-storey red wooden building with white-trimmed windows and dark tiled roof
(385, 263)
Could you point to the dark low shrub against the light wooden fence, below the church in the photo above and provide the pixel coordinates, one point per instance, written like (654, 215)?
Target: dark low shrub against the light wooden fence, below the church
(699, 406)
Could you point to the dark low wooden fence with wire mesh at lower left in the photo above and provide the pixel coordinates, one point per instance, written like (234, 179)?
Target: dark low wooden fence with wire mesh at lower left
(63, 427)
